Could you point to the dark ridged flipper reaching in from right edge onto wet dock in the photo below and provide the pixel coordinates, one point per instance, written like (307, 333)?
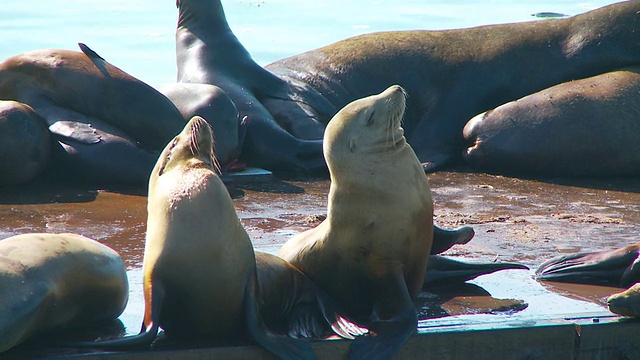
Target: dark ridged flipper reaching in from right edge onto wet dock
(619, 267)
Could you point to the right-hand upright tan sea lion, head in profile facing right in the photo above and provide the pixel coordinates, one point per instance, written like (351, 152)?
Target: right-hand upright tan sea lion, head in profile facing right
(371, 252)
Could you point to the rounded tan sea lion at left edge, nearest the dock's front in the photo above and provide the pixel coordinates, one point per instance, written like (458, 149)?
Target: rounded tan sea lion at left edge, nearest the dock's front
(57, 281)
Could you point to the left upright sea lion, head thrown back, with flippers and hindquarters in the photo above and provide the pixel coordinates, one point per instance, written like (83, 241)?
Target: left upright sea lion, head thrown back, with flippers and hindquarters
(199, 270)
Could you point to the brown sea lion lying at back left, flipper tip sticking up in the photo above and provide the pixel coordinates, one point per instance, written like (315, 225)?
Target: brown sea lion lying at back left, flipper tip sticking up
(108, 125)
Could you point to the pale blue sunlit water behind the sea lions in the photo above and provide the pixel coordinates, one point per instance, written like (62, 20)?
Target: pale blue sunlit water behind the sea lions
(138, 36)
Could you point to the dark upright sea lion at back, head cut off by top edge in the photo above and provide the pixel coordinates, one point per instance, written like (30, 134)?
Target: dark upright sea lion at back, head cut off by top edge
(208, 52)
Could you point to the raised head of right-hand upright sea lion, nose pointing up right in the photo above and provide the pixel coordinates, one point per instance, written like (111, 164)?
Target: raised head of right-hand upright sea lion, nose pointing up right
(371, 125)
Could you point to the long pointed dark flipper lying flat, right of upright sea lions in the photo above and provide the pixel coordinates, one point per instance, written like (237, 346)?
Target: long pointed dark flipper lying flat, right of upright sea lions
(443, 270)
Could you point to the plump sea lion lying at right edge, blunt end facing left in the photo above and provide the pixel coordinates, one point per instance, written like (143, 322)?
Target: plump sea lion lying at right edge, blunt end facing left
(587, 127)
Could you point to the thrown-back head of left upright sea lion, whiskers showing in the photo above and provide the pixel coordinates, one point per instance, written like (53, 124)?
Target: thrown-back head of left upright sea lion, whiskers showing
(192, 148)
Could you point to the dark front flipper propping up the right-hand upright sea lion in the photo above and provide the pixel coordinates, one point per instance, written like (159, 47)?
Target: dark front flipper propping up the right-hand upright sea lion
(393, 321)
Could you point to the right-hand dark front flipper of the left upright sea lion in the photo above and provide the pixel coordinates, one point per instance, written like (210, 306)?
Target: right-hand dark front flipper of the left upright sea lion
(283, 347)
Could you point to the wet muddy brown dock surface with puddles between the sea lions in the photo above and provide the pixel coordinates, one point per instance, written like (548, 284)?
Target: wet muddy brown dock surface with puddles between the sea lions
(524, 221)
